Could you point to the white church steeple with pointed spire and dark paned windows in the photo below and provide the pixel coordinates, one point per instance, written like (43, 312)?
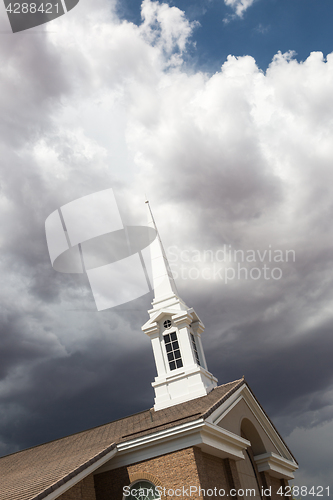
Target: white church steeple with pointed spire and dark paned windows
(175, 331)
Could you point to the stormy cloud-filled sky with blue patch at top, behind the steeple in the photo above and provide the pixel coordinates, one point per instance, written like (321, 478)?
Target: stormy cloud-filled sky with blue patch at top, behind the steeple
(221, 113)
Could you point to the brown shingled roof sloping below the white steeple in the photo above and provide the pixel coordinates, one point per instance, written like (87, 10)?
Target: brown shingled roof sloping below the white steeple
(34, 473)
